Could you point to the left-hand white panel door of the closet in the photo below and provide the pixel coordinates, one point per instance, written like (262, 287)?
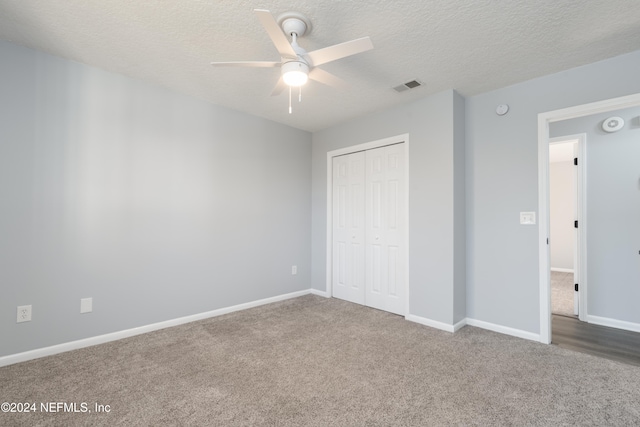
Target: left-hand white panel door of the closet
(348, 227)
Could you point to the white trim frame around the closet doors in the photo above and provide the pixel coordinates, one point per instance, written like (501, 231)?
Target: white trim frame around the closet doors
(404, 138)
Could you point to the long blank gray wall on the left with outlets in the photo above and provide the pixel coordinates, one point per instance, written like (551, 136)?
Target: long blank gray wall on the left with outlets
(154, 204)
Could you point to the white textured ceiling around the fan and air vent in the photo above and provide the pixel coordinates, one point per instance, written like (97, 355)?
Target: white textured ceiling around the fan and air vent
(472, 46)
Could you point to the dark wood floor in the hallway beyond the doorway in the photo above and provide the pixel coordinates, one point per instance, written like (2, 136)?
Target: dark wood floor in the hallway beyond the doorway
(611, 343)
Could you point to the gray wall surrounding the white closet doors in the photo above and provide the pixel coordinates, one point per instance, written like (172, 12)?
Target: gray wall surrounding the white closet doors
(436, 193)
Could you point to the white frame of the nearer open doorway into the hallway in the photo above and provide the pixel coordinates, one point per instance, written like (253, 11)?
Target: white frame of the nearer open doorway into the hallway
(544, 119)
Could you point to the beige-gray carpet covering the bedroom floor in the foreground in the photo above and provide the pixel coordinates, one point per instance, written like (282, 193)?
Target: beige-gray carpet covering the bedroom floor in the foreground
(313, 361)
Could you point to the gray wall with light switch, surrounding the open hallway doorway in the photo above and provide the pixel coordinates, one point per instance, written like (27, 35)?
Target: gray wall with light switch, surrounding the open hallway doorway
(502, 180)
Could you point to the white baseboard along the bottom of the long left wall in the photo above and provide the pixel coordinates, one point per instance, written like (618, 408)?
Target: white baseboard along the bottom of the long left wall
(114, 336)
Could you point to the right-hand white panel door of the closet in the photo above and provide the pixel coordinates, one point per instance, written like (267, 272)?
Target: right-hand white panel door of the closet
(385, 214)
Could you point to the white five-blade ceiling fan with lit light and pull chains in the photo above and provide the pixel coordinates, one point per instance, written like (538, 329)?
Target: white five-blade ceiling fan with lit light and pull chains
(296, 64)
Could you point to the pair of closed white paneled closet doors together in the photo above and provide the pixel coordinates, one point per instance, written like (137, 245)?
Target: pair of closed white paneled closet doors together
(369, 202)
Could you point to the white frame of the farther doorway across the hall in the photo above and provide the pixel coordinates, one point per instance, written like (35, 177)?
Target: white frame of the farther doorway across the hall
(580, 206)
